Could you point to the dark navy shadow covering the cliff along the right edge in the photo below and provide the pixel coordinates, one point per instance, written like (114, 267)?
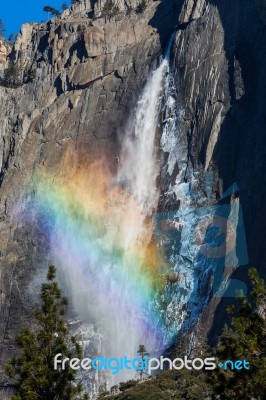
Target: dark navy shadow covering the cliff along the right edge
(241, 148)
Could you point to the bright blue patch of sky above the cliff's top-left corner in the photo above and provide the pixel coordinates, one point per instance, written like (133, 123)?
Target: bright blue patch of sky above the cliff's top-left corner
(15, 12)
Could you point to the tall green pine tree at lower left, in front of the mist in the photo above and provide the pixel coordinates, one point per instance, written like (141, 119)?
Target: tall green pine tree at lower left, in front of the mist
(34, 369)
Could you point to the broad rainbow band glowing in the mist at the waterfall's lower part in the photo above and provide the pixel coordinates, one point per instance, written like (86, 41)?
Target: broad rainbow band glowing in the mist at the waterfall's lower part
(103, 245)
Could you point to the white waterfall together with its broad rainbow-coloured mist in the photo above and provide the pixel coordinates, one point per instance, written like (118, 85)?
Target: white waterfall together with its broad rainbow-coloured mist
(100, 234)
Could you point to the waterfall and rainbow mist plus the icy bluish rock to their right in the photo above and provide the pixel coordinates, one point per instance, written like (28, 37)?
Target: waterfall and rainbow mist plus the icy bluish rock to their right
(102, 231)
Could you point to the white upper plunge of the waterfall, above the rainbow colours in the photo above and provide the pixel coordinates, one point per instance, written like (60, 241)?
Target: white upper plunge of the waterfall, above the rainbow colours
(139, 167)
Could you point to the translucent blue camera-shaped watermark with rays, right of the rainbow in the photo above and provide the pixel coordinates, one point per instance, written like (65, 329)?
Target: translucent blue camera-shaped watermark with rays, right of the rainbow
(203, 243)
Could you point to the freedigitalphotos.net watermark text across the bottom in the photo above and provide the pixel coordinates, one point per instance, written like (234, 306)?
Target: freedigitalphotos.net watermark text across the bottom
(147, 364)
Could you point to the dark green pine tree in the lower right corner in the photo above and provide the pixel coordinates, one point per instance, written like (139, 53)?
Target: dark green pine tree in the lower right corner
(245, 339)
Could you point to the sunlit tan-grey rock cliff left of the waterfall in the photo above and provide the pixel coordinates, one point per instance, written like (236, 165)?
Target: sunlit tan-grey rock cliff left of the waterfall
(68, 83)
